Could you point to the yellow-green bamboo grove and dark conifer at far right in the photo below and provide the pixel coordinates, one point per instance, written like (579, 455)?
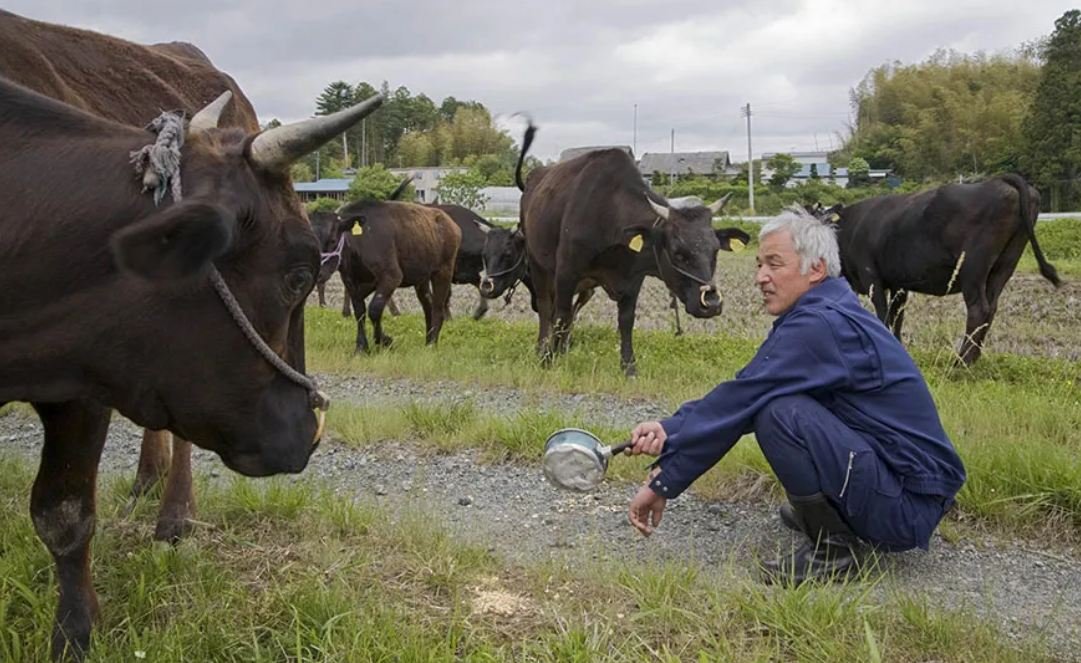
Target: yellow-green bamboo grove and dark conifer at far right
(962, 116)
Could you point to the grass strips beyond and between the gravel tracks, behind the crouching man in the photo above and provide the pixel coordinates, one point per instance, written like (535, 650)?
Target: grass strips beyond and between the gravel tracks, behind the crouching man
(1015, 420)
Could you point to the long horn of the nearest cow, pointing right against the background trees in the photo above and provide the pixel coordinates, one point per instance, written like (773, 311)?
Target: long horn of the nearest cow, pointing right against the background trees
(277, 149)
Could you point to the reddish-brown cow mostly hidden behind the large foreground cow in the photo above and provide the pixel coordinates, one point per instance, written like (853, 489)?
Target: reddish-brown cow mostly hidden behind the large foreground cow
(129, 84)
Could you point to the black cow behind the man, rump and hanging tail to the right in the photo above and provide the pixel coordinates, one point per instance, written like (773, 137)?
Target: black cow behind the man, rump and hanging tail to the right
(963, 238)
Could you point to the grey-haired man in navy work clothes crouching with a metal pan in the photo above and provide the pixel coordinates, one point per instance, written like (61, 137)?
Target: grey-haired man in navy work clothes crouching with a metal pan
(843, 415)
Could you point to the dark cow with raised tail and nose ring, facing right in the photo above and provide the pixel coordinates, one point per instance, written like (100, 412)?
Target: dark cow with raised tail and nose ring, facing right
(593, 222)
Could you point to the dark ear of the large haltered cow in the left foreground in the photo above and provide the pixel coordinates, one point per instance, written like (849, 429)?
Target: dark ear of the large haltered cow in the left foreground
(179, 243)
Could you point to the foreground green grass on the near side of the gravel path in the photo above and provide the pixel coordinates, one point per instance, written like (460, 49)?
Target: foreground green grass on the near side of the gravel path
(290, 573)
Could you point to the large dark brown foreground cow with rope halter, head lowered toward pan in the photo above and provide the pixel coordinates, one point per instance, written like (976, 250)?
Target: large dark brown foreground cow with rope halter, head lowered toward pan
(208, 290)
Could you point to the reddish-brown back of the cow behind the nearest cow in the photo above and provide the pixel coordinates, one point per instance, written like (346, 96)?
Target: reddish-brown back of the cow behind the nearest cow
(115, 78)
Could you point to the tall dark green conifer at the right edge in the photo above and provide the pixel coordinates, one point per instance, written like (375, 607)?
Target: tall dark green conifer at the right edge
(1053, 130)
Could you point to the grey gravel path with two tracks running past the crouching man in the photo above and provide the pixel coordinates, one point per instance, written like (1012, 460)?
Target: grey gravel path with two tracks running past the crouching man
(510, 509)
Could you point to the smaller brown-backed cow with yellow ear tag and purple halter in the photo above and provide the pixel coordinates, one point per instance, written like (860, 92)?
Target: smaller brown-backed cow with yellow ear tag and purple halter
(394, 245)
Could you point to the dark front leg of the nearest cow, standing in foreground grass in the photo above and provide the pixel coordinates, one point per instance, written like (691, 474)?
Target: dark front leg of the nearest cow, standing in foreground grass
(62, 508)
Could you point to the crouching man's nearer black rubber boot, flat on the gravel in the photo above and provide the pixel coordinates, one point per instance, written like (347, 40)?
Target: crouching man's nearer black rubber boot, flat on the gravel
(833, 550)
